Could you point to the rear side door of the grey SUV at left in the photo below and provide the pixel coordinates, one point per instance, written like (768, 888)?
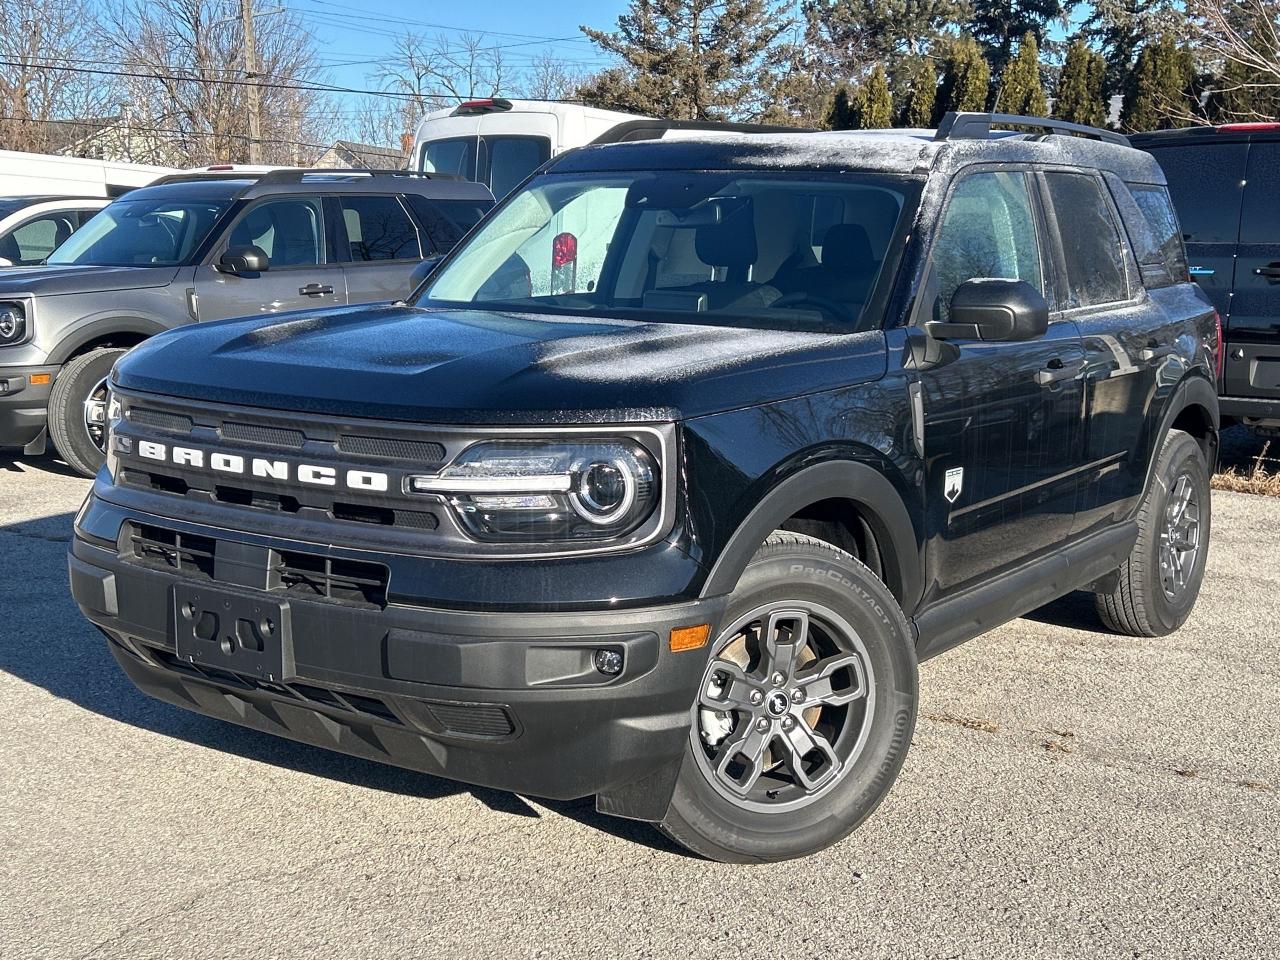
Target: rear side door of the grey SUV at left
(380, 245)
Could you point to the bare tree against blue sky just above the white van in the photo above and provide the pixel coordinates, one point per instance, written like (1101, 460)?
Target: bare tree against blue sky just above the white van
(441, 71)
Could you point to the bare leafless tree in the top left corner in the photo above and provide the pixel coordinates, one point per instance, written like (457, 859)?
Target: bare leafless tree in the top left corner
(40, 99)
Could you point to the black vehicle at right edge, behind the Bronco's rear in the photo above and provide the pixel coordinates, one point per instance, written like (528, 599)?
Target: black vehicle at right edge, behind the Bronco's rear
(1226, 184)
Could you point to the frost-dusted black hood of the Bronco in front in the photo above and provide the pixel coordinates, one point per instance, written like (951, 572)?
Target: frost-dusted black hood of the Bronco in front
(400, 363)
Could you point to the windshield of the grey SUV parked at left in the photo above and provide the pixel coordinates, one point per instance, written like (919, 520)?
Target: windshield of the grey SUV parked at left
(143, 234)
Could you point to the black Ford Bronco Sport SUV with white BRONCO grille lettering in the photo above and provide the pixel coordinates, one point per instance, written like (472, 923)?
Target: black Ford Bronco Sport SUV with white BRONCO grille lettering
(670, 474)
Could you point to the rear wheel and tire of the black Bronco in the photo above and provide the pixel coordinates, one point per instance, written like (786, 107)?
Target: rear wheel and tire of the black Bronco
(1154, 596)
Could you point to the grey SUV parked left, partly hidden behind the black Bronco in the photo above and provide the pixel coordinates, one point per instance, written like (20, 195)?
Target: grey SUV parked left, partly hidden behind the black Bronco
(205, 246)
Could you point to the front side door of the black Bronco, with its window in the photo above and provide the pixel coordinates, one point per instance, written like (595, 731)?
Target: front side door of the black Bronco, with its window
(1002, 420)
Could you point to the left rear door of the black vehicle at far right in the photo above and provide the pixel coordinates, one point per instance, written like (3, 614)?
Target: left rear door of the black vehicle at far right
(1206, 182)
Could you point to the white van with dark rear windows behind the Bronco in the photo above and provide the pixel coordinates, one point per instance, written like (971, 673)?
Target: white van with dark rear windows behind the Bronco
(499, 143)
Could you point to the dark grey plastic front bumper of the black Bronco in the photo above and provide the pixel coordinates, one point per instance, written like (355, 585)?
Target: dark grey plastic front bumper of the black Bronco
(509, 701)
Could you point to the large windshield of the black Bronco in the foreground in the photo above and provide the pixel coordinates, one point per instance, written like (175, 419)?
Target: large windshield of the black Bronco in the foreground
(760, 250)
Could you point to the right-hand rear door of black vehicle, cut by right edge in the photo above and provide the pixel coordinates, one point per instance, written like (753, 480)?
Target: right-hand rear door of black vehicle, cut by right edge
(1254, 324)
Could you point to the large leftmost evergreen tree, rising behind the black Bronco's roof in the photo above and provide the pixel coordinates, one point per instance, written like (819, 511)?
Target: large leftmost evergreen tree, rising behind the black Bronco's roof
(692, 60)
